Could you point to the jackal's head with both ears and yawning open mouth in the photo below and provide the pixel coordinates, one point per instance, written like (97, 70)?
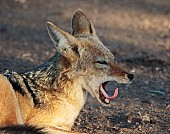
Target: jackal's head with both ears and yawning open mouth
(89, 60)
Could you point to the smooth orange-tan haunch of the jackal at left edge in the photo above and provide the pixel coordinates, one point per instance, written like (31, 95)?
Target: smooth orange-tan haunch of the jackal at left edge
(9, 106)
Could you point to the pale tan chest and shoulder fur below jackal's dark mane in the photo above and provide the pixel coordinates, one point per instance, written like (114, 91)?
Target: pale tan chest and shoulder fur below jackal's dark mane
(62, 112)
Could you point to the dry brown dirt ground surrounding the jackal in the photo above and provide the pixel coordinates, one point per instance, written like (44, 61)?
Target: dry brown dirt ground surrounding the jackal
(136, 31)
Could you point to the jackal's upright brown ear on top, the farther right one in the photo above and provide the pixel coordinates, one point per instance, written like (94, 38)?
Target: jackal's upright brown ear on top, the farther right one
(81, 25)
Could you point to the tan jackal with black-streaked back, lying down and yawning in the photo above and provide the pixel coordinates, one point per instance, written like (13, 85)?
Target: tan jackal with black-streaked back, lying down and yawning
(83, 64)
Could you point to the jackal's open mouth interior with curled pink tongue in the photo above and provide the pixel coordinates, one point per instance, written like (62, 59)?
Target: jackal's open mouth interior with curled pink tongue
(104, 97)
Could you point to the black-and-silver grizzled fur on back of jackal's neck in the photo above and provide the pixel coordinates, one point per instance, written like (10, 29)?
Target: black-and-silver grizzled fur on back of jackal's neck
(46, 78)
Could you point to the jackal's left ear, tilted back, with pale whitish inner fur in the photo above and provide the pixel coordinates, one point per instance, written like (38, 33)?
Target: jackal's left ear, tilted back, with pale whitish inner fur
(64, 42)
